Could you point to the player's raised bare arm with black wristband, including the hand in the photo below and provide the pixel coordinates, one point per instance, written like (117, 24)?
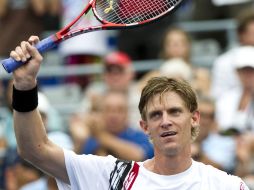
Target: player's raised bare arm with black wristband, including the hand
(32, 140)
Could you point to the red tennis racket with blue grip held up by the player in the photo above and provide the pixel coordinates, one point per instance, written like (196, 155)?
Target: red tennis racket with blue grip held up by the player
(112, 14)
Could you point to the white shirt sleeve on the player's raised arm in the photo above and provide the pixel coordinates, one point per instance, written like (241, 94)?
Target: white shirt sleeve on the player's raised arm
(87, 171)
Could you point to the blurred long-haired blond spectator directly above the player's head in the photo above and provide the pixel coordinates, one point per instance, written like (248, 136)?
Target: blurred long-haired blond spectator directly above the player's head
(176, 48)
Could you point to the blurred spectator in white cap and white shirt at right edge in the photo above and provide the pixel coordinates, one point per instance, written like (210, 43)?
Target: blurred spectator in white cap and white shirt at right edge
(235, 111)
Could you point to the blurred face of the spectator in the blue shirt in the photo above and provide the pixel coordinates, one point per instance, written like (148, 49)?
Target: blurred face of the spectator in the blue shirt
(115, 112)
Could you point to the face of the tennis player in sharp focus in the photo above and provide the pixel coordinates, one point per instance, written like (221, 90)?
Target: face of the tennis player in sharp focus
(169, 124)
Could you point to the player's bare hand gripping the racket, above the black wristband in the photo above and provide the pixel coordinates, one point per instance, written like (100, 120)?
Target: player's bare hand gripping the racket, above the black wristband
(25, 76)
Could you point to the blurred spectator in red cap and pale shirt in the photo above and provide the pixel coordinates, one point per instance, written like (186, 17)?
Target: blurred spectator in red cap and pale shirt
(118, 75)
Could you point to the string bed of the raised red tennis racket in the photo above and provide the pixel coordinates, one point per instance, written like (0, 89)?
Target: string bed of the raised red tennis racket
(130, 11)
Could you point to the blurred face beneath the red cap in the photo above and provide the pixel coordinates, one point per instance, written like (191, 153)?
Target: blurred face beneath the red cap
(118, 77)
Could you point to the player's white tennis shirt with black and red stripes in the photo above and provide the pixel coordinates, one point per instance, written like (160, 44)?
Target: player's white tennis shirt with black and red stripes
(89, 172)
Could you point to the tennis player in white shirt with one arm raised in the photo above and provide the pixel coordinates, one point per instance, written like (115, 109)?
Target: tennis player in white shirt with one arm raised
(169, 115)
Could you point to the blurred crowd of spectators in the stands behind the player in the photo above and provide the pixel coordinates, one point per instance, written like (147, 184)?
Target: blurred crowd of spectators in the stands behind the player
(107, 118)
